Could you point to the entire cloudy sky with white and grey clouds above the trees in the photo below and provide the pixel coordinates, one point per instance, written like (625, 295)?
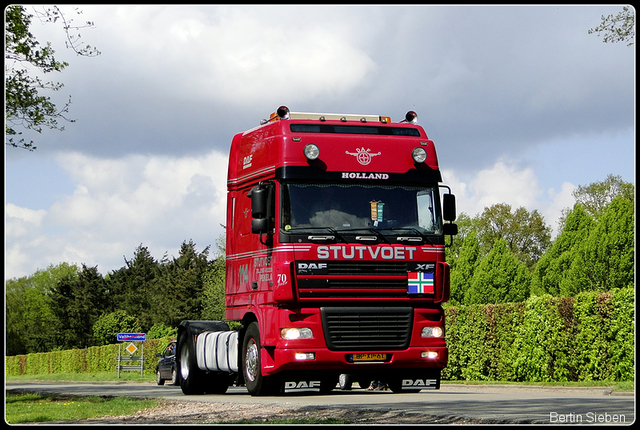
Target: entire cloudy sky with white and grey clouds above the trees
(522, 103)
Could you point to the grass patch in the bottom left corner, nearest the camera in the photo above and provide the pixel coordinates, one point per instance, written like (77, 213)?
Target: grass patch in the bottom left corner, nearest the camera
(38, 408)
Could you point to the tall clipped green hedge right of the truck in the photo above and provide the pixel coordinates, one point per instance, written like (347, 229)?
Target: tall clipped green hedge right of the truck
(589, 337)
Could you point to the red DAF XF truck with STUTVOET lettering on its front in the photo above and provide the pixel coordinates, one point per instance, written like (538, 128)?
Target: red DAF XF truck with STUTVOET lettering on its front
(335, 259)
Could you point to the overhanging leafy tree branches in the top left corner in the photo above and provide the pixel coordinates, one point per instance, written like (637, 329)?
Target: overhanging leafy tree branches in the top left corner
(24, 105)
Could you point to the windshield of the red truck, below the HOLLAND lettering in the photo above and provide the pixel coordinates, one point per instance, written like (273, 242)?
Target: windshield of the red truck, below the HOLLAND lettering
(353, 206)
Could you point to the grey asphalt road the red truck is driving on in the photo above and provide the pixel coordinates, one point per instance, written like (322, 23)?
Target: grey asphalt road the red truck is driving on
(503, 403)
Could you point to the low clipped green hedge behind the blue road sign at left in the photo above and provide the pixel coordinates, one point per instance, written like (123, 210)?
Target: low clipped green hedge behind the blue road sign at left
(92, 359)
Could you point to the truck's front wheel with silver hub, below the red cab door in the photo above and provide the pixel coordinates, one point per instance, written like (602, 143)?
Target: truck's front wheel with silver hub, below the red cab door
(256, 383)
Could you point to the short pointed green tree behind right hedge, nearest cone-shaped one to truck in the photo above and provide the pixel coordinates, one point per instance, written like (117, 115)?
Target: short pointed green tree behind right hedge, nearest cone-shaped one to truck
(499, 278)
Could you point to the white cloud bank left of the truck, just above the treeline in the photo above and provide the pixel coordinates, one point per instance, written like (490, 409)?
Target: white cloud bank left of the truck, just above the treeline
(117, 205)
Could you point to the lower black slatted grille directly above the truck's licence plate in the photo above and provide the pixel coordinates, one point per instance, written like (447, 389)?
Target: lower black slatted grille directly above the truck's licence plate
(360, 329)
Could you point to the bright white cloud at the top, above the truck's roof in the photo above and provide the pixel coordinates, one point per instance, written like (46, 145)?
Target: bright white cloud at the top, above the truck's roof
(234, 55)
